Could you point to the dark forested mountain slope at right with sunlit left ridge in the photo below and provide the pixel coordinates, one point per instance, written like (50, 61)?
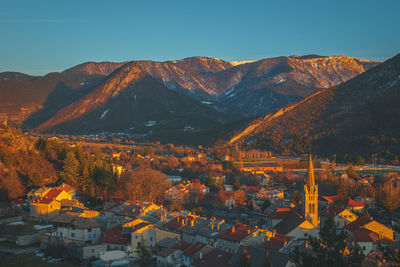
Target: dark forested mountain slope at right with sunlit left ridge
(360, 116)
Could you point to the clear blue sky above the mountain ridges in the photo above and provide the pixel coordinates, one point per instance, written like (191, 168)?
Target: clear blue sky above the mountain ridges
(38, 37)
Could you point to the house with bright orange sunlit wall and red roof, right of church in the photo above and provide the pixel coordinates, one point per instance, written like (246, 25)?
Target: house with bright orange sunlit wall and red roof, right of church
(372, 225)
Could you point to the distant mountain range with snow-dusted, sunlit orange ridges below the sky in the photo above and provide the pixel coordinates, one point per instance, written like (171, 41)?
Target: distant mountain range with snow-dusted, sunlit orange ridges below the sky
(153, 99)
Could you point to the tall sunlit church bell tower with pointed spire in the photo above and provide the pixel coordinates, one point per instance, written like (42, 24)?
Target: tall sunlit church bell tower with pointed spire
(310, 197)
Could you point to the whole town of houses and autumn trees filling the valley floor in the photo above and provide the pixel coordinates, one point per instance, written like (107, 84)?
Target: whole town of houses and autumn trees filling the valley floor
(195, 206)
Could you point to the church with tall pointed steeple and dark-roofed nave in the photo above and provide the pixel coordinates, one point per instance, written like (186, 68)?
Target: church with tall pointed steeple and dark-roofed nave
(304, 222)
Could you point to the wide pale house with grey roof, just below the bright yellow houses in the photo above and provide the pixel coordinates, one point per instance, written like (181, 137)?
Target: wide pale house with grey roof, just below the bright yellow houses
(76, 228)
